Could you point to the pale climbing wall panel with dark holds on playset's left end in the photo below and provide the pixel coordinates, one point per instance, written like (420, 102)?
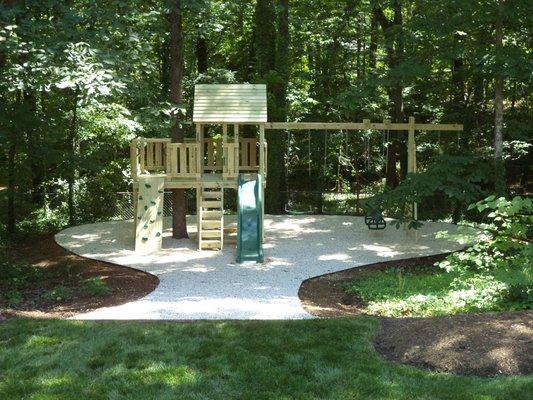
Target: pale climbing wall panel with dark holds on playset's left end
(149, 218)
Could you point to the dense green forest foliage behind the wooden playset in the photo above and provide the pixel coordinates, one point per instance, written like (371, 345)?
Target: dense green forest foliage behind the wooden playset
(79, 79)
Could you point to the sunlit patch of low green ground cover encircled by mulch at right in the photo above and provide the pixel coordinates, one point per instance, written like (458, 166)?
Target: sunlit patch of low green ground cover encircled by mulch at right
(431, 291)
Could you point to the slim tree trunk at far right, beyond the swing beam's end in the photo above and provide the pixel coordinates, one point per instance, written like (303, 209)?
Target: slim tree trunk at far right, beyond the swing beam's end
(498, 106)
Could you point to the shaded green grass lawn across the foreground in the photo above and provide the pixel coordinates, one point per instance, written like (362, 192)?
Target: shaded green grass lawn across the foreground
(313, 359)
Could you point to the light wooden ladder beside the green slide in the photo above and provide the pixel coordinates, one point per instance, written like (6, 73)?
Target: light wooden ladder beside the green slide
(211, 221)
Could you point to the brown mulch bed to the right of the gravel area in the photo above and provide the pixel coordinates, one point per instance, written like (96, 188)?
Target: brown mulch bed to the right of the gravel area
(487, 344)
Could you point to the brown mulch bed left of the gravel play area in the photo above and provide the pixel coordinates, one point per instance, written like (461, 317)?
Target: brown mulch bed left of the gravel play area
(126, 284)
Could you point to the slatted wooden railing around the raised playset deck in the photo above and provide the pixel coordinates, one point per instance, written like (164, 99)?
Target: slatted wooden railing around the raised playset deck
(189, 159)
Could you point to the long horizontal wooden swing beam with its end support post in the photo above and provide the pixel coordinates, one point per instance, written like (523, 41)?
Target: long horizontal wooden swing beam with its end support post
(411, 127)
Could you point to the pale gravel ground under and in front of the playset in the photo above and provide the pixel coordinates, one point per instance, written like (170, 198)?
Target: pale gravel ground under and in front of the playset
(210, 285)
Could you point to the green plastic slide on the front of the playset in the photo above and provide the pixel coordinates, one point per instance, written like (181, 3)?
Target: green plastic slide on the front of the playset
(250, 219)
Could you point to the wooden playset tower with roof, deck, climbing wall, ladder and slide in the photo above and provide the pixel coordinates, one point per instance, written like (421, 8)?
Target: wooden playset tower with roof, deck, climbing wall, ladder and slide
(211, 165)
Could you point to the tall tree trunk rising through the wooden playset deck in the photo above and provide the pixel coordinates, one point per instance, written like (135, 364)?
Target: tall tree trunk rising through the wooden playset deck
(179, 200)
